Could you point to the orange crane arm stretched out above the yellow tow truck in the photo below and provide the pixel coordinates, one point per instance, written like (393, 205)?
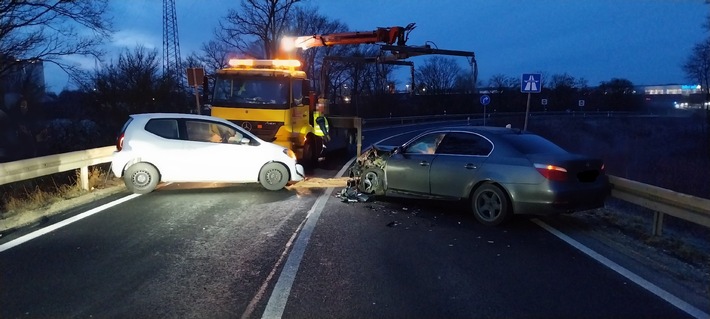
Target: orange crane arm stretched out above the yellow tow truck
(389, 36)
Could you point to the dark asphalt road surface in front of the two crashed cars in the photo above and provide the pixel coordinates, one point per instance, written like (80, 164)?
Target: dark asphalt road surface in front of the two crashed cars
(225, 251)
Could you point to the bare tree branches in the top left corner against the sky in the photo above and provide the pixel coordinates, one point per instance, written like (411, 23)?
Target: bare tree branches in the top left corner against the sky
(46, 30)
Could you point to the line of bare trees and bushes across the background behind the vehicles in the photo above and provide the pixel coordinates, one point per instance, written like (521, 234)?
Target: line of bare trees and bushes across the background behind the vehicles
(52, 31)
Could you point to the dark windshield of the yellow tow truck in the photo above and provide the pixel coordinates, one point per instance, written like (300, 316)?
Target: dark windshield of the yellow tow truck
(250, 92)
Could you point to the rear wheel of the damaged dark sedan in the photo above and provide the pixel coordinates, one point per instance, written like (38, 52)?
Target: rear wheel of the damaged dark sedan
(490, 205)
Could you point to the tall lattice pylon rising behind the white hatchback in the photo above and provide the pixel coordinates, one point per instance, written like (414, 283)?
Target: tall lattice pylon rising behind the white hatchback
(171, 44)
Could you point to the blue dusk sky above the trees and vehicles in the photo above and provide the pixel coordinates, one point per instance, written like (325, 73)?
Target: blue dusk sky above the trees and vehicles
(644, 41)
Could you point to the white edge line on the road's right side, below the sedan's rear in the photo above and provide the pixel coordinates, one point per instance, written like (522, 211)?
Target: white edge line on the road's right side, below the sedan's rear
(665, 295)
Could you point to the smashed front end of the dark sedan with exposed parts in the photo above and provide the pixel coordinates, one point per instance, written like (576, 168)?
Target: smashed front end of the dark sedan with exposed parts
(367, 173)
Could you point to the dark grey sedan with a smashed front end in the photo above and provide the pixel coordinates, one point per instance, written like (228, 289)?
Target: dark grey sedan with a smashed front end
(500, 171)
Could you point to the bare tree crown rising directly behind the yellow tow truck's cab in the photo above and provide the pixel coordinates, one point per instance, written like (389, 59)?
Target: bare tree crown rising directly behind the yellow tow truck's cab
(260, 21)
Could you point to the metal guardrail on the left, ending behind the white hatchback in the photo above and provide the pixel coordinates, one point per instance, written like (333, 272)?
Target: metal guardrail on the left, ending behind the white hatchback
(46, 165)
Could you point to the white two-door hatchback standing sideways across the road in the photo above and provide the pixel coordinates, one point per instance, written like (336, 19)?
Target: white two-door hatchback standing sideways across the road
(172, 147)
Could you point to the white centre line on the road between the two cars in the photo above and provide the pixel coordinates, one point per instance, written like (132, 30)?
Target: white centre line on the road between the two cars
(277, 302)
